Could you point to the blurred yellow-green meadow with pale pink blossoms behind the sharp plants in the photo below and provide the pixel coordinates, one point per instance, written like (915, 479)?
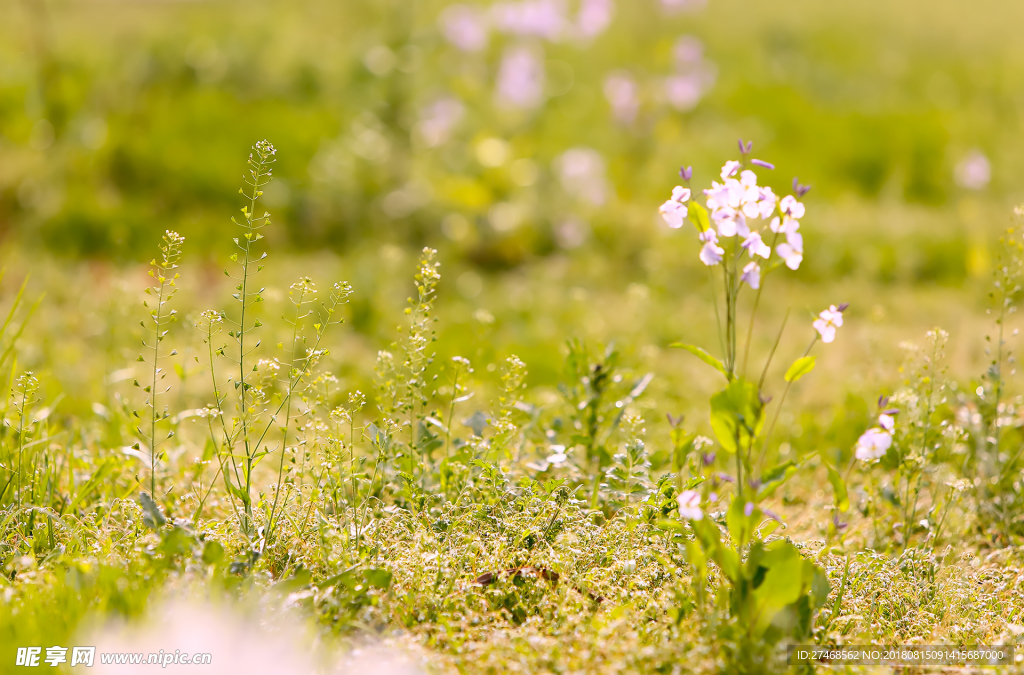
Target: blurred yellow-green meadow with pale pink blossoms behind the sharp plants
(532, 143)
